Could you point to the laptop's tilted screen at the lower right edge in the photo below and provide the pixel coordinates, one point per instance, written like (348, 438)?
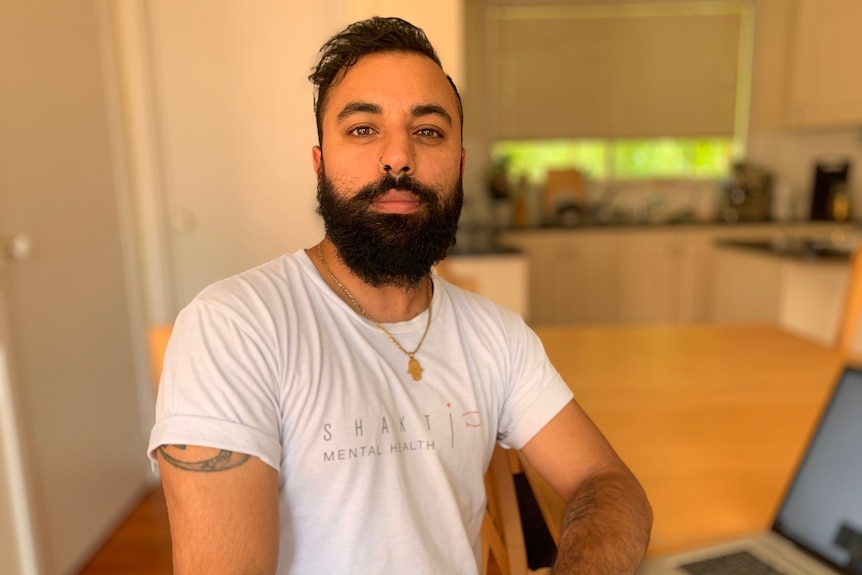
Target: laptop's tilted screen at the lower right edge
(822, 510)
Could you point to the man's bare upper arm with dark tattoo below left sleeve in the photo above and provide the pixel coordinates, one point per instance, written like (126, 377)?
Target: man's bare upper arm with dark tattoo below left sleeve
(223, 510)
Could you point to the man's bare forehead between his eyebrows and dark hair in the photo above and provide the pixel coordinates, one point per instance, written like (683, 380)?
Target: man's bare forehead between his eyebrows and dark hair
(394, 80)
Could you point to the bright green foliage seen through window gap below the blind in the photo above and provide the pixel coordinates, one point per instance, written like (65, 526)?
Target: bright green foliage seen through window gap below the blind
(618, 159)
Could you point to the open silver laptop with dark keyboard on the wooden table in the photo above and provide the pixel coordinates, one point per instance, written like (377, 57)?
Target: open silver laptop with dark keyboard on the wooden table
(818, 527)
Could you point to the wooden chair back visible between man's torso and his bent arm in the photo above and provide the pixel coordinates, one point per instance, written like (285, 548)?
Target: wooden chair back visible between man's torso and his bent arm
(503, 548)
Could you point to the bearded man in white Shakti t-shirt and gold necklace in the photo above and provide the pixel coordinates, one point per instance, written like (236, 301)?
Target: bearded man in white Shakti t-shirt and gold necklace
(334, 411)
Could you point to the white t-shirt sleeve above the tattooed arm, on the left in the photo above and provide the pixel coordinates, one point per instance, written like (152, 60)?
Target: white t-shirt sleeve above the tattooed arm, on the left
(218, 385)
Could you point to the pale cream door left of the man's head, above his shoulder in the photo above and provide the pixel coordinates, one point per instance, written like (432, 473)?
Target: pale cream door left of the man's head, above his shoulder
(235, 132)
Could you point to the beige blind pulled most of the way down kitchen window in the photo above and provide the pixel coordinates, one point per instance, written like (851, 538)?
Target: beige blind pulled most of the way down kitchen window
(615, 71)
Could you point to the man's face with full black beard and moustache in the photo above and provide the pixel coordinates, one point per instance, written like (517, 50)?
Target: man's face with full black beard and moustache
(395, 109)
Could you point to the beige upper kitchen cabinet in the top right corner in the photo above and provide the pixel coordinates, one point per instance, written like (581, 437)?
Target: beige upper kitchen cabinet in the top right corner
(825, 83)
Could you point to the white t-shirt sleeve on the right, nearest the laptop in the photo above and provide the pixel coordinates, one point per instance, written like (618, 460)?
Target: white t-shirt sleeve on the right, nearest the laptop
(535, 391)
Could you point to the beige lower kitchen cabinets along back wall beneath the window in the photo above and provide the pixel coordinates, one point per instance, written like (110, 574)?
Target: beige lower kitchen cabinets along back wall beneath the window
(626, 275)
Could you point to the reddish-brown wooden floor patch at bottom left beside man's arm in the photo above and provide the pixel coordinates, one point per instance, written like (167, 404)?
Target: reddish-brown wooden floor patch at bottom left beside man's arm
(141, 545)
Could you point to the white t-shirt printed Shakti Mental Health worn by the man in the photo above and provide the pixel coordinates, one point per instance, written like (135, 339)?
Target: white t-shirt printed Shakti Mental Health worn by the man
(378, 473)
